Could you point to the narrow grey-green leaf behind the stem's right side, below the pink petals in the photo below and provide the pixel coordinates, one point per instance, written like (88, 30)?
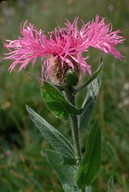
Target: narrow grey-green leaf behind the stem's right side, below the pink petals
(90, 101)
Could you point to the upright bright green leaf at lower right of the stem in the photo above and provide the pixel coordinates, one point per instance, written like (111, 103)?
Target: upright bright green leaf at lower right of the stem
(90, 163)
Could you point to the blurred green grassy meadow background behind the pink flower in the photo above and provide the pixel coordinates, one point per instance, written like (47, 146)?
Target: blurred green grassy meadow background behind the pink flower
(23, 165)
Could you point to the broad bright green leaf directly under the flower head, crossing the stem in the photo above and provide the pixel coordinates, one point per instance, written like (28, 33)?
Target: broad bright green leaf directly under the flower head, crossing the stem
(57, 103)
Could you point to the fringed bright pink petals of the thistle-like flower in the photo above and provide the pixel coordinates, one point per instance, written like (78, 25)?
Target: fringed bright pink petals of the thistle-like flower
(64, 45)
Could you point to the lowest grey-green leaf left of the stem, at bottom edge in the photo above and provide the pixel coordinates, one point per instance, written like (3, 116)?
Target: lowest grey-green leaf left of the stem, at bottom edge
(66, 173)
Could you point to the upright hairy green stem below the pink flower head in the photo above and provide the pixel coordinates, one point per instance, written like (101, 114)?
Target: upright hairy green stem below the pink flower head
(73, 122)
